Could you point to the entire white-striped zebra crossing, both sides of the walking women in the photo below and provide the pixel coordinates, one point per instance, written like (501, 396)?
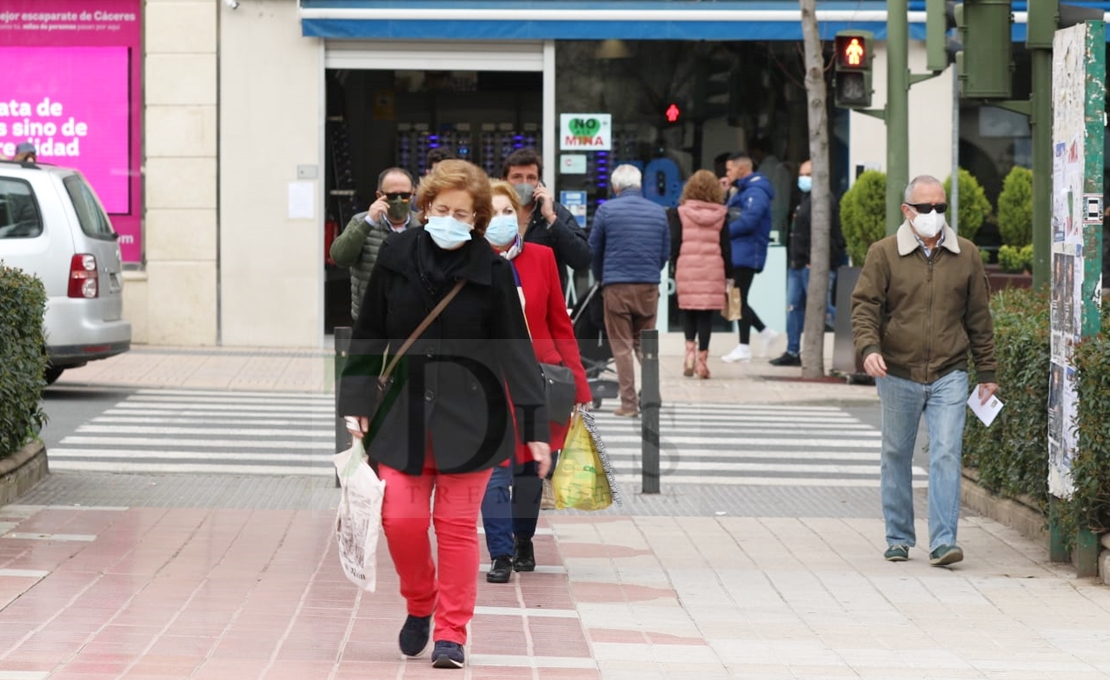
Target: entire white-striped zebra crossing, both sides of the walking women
(265, 433)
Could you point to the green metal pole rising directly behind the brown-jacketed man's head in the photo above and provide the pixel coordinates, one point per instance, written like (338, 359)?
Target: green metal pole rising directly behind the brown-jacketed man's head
(897, 114)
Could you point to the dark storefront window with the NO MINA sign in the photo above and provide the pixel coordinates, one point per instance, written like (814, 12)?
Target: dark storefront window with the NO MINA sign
(671, 108)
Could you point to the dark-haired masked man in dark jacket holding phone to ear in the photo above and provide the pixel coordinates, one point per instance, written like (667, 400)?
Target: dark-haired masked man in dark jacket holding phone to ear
(549, 224)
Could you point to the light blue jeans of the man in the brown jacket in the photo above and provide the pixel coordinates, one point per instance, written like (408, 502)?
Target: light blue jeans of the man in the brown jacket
(944, 404)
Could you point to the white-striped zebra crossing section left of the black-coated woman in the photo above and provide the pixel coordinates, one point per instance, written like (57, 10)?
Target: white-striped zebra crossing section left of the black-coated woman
(187, 431)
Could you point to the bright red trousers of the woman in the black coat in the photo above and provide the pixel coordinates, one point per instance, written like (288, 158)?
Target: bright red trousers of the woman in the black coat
(407, 514)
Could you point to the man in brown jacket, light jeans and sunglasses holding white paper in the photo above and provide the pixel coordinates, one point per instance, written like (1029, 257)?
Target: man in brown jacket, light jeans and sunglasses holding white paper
(922, 303)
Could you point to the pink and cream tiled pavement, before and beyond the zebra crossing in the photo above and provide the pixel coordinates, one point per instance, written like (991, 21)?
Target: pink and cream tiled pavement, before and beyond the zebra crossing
(205, 578)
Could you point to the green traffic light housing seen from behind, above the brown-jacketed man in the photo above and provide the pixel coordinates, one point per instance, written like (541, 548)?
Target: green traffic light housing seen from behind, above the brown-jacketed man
(985, 63)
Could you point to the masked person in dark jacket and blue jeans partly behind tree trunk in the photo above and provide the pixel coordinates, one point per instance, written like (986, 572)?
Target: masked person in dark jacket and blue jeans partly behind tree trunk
(798, 273)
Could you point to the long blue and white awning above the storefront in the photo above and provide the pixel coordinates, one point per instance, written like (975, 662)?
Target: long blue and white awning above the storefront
(603, 19)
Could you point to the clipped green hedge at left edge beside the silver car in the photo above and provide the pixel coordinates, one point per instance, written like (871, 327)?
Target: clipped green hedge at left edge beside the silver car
(23, 305)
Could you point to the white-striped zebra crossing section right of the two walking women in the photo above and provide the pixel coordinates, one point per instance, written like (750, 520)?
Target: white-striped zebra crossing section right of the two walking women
(751, 445)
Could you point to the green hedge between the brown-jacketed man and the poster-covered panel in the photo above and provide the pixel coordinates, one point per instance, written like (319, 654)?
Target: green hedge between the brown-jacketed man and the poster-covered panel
(1012, 455)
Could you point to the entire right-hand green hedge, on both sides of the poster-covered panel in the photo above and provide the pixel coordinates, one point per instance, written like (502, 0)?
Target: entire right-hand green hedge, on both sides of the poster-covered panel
(1012, 456)
